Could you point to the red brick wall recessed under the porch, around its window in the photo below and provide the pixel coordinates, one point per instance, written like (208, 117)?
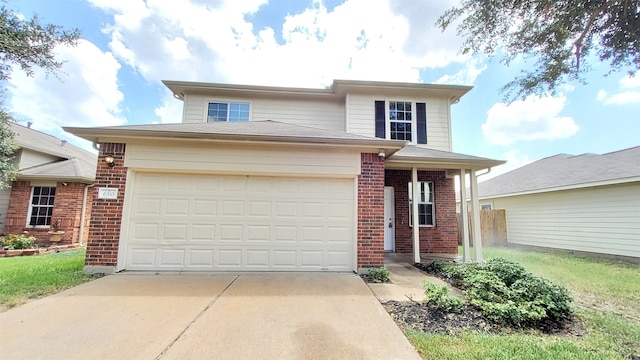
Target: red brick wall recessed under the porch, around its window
(441, 239)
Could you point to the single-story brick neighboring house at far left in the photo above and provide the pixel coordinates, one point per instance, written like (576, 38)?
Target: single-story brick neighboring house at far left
(51, 188)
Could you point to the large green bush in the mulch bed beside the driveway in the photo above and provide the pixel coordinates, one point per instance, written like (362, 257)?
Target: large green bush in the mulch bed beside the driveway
(508, 294)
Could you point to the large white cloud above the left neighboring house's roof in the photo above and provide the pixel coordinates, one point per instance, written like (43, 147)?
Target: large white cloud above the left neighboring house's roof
(86, 94)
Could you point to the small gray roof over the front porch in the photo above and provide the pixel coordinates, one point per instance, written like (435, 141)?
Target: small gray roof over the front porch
(417, 153)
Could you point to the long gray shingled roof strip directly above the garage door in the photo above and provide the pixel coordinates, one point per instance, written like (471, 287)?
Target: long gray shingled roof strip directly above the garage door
(268, 130)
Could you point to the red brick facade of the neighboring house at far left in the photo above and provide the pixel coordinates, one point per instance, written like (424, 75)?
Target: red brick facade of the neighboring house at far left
(67, 209)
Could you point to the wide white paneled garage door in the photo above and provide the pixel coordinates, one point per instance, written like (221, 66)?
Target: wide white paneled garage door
(240, 223)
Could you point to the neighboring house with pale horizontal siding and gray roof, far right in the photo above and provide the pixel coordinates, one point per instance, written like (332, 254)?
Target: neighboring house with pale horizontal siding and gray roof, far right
(588, 203)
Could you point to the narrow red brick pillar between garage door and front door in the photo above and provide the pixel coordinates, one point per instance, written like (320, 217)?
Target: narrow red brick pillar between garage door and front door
(371, 212)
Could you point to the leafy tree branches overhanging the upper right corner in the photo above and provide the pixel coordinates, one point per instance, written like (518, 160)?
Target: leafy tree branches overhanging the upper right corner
(560, 34)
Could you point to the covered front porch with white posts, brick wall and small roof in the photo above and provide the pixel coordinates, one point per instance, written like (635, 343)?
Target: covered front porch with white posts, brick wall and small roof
(428, 176)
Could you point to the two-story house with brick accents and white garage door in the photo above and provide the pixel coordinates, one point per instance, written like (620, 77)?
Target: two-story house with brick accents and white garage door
(260, 178)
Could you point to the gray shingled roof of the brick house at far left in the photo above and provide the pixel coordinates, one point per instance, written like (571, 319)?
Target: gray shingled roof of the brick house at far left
(72, 163)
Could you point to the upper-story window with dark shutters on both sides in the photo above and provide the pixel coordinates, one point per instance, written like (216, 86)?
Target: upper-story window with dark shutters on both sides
(401, 120)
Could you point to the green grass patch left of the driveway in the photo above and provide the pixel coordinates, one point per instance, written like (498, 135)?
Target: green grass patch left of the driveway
(29, 277)
